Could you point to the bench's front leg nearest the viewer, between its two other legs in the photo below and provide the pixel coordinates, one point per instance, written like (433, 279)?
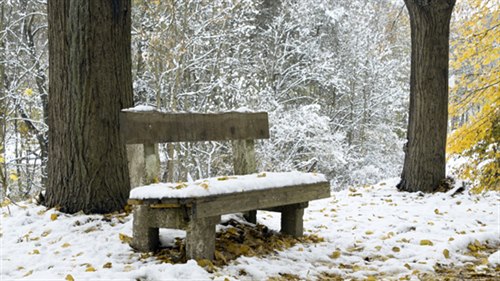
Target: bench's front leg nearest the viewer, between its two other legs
(200, 238)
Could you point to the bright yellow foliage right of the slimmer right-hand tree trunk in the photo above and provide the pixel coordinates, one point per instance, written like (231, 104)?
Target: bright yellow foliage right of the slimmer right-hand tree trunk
(475, 95)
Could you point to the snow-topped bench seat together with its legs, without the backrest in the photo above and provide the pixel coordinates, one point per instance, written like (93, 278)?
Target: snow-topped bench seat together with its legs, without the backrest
(197, 207)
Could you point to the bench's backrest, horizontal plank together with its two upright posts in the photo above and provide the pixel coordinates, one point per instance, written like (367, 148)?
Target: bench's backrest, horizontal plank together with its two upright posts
(151, 127)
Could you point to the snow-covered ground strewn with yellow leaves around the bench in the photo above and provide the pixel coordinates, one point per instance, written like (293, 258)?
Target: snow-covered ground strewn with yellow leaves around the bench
(370, 232)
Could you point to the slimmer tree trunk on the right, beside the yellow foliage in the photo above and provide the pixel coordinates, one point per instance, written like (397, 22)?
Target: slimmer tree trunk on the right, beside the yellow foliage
(424, 165)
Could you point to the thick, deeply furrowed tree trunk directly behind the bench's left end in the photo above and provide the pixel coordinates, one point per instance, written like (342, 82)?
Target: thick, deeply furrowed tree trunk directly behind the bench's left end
(90, 81)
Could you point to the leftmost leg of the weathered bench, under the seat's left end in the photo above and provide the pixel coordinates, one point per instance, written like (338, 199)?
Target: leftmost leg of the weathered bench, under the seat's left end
(145, 238)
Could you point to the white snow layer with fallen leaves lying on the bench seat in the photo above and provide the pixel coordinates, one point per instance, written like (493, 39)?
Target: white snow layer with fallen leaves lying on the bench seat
(227, 184)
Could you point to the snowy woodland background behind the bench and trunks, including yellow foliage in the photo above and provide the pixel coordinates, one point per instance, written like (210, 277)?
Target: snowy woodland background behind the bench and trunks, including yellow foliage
(333, 75)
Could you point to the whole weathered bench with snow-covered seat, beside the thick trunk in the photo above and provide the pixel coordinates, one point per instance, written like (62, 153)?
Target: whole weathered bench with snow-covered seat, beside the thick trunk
(197, 207)
